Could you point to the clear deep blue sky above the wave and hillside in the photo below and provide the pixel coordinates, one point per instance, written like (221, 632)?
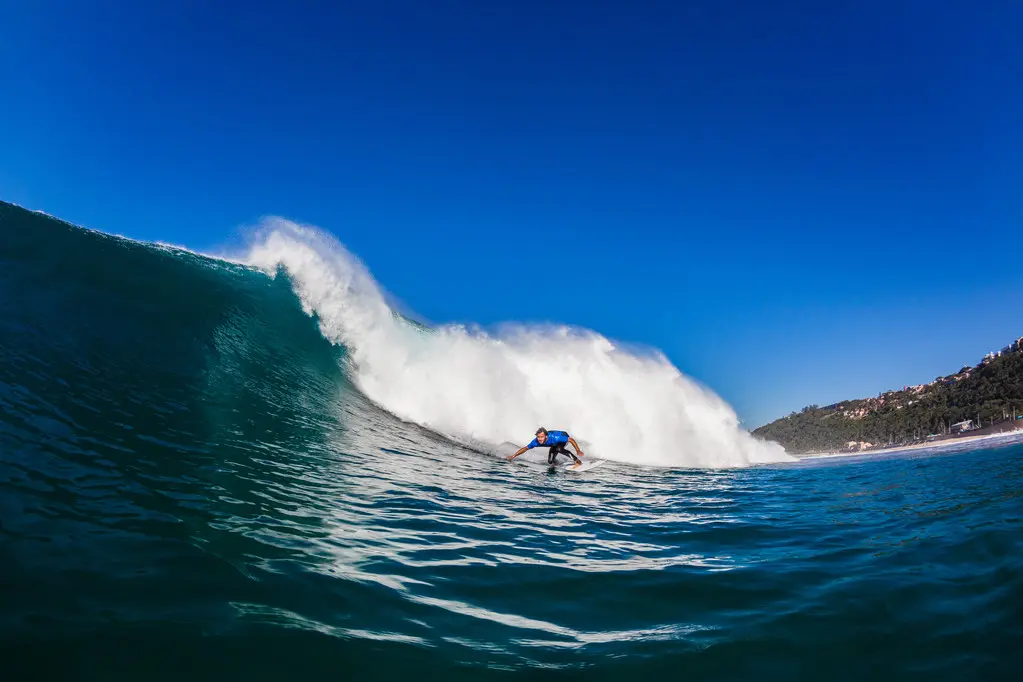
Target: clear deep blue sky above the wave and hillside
(797, 202)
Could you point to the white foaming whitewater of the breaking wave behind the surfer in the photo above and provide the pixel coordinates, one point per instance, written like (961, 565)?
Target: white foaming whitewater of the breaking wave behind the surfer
(498, 389)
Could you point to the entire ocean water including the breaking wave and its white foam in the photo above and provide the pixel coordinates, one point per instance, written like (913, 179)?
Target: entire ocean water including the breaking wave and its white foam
(252, 469)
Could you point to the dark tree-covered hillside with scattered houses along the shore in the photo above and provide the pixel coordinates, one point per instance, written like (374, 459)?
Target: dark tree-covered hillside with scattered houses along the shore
(990, 393)
